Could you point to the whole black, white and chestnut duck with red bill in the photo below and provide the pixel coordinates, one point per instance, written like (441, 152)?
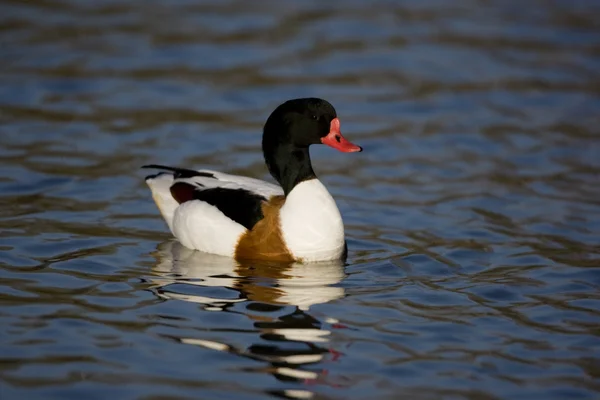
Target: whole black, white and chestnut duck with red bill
(250, 219)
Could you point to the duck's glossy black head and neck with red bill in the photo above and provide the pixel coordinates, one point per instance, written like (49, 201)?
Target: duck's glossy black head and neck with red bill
(291, 129)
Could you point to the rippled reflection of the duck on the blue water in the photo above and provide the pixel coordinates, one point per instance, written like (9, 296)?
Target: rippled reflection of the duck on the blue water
(285, 341)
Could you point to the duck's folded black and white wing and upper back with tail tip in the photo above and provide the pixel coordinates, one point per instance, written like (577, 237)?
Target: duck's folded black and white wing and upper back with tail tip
(239, 198)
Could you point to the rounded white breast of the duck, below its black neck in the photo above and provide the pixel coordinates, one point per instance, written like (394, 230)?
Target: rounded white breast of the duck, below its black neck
(311, 223)
